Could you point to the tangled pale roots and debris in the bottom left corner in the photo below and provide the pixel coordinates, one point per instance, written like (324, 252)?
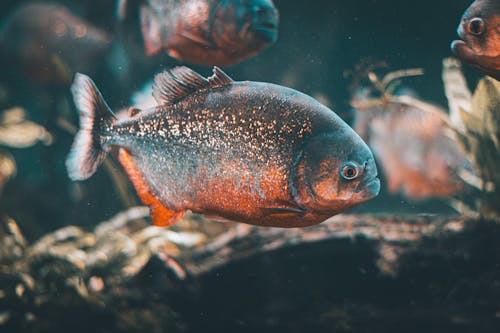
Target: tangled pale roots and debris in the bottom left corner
(87, 269)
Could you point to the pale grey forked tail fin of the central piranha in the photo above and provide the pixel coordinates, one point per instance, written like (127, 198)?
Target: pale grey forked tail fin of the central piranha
(86, 154)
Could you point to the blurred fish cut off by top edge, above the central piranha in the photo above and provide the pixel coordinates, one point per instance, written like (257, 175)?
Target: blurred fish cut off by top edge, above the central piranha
(206, 32)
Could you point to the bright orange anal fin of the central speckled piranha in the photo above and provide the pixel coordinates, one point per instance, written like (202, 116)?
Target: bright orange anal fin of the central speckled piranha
(161, 215)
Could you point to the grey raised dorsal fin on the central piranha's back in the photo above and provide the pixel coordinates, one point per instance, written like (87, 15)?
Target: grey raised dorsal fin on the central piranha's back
(174, 84)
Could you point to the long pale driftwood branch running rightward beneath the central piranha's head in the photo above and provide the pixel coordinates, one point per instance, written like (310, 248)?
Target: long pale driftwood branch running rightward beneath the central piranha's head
(394, 236)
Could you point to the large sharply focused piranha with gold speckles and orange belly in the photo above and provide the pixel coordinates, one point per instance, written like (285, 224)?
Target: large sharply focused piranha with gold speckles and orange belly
(247, 151)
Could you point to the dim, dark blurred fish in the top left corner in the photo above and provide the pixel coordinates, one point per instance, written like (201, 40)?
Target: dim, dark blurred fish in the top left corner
(49, 43)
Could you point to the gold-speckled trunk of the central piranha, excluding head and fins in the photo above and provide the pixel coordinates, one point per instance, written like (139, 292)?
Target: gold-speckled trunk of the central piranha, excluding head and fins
(228, 151)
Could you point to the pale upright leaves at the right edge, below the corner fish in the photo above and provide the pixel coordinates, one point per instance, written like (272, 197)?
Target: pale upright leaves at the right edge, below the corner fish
(477, 128)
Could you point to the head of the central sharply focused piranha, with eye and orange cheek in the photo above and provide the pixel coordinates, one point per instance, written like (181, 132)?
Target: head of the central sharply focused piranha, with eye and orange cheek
(334, 172)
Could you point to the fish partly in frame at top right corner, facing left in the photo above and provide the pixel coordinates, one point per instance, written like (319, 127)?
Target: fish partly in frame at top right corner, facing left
(479, 30)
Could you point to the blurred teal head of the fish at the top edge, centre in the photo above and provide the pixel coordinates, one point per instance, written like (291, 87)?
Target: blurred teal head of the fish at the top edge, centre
(244, 26)
